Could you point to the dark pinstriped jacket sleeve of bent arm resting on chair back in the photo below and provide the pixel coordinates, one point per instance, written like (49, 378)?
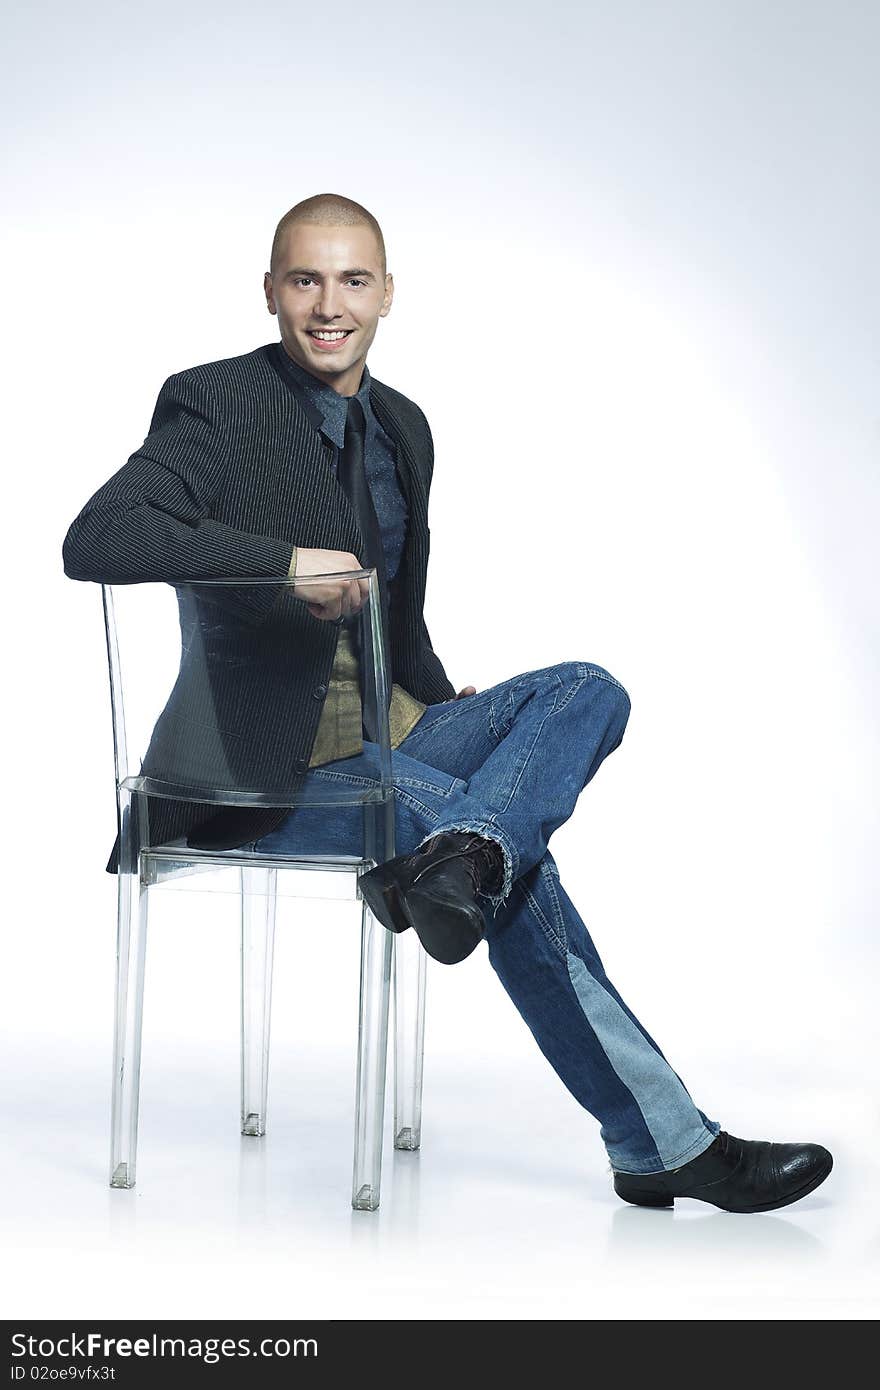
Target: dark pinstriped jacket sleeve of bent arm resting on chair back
(151, 521)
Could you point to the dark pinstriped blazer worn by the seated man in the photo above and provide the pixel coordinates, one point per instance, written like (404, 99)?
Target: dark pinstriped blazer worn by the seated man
(231, 477)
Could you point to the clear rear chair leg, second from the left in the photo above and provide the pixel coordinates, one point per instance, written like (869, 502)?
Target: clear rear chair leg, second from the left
(259, 899)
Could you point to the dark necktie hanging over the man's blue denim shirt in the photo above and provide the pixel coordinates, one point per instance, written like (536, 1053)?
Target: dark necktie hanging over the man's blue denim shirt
(352, 479)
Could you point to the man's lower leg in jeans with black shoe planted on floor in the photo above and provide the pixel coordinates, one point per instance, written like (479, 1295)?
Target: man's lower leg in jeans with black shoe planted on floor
(660, 1145)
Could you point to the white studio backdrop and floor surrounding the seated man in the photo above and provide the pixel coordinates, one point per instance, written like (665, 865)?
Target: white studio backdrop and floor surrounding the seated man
(637, 293)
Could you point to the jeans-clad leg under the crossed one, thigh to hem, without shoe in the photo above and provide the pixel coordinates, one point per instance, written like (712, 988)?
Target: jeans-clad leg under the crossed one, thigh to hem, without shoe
(541, 951)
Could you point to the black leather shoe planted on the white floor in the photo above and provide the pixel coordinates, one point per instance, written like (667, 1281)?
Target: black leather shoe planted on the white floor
(739, 1175)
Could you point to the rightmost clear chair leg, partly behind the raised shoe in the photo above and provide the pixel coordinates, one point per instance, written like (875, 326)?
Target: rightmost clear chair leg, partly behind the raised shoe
(411, 961)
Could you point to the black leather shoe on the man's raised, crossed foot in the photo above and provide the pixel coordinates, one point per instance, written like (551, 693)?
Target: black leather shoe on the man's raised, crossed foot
(434, 892)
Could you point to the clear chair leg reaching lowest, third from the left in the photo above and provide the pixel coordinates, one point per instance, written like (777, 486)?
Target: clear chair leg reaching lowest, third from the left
(376, 953)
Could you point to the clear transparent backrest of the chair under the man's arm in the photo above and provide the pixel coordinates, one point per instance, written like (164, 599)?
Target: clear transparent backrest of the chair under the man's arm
(213, 685)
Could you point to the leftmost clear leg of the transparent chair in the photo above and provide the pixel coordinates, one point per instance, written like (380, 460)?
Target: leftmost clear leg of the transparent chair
(131, 960)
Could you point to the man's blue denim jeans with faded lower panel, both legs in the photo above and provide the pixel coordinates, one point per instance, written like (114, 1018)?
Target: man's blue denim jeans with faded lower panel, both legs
(510, 764)
